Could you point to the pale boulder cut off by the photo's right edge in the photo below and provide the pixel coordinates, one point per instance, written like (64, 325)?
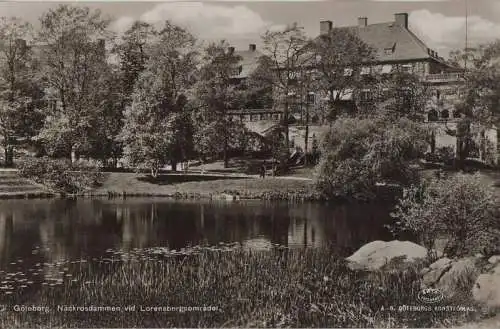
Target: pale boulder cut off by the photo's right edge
(486, 289)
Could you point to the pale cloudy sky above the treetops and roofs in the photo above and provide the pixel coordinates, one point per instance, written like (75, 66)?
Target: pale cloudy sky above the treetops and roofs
(439, 23)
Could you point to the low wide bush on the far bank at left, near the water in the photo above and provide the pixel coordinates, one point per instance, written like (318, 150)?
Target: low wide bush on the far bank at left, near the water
(60, 175)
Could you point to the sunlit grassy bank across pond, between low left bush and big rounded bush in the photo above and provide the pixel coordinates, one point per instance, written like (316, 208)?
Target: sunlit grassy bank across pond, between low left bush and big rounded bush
(204, 186)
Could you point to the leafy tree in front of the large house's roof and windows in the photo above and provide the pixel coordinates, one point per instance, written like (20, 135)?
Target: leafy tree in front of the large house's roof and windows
(342, 61)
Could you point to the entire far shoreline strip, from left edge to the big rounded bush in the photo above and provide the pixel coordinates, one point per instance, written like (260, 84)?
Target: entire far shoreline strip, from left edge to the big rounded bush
(192, 186)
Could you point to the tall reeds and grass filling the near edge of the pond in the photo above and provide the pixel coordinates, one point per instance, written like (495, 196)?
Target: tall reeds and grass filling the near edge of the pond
(279, 288)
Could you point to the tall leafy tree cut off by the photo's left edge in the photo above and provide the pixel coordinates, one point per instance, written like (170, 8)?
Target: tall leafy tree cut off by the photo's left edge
(16, 97)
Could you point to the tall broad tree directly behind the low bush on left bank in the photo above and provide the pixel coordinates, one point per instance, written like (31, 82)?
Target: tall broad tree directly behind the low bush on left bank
(73, 71)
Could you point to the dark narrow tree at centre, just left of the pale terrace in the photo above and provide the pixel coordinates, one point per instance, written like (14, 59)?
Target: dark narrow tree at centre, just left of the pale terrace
(216, 95)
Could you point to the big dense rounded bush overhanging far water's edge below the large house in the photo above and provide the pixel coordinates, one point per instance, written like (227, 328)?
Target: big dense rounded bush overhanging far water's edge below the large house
(357, 153)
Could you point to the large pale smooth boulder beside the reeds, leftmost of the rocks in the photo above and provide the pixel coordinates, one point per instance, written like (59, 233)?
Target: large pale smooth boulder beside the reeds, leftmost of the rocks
(377, 254)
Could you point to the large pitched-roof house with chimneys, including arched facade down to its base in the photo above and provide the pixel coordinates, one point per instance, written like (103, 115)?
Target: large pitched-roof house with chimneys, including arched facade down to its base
(398, 49)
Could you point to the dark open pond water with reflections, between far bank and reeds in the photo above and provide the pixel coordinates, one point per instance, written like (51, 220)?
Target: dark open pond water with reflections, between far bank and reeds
(51, 231)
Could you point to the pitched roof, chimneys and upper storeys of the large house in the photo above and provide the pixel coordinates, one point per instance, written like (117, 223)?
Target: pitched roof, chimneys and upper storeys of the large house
(398, 49)
